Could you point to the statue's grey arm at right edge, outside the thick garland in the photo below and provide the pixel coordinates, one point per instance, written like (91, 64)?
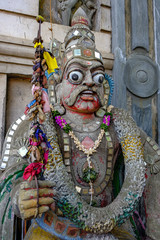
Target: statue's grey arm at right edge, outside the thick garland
(151, 192)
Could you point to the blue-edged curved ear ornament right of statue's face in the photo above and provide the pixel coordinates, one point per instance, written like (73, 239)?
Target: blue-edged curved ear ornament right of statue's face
(108, 85)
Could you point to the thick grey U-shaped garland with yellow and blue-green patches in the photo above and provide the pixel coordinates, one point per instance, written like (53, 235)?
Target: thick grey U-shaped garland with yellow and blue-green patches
(102, 220)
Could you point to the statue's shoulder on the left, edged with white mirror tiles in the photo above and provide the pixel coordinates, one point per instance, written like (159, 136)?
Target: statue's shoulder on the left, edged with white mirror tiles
(15, 144)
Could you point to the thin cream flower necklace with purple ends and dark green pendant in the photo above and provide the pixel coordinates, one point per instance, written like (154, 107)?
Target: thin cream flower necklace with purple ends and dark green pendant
(89, 174)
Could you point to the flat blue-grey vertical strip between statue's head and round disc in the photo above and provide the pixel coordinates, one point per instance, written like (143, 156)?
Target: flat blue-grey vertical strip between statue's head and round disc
(119, 50)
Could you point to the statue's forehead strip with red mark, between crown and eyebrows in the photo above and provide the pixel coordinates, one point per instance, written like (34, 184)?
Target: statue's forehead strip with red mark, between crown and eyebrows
(84, 63)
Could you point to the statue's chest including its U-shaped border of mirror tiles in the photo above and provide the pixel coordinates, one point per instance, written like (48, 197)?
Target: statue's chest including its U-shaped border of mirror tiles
(76, 163)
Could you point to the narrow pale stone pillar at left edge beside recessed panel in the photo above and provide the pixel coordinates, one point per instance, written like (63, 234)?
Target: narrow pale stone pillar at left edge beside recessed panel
(3, 88)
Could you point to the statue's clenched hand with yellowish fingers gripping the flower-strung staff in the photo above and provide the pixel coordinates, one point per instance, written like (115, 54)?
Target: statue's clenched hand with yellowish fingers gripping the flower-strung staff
(29, 205)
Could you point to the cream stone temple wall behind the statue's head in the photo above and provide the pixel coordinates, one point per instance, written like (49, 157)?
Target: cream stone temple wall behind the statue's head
(18, 28)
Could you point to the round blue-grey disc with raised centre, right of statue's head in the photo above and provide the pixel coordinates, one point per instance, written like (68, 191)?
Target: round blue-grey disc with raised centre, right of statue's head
(141, 76)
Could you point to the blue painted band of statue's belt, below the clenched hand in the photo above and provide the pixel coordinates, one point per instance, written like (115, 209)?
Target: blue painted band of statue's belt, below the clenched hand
(50, 229)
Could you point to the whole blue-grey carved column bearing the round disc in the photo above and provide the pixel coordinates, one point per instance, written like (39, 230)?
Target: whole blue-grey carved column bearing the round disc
(136, 72)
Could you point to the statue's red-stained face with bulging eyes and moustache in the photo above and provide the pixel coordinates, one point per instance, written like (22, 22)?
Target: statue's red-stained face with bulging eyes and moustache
(82, 86)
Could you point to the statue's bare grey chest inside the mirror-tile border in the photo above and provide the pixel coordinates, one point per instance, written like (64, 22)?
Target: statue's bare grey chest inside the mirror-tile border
(79, 163)
